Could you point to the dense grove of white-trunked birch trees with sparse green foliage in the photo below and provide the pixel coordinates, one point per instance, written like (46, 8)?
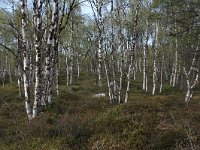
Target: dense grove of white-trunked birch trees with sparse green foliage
(155, 42)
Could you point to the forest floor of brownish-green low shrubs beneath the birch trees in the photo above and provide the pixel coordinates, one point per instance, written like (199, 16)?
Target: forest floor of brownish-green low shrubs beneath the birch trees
(78, 121)
